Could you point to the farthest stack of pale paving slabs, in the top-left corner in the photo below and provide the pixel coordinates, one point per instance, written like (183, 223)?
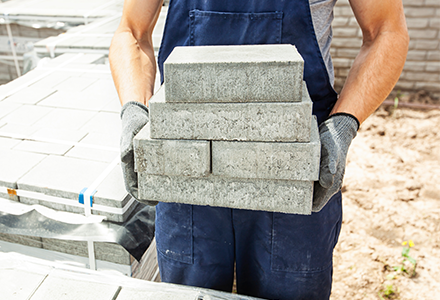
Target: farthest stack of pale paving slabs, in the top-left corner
(33, 20)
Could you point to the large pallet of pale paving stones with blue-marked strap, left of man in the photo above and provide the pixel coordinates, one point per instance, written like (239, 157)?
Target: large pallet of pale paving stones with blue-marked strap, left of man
(59, 135)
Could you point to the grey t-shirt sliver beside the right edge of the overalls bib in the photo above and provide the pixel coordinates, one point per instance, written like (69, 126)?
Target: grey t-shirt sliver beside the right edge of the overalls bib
(322, 17)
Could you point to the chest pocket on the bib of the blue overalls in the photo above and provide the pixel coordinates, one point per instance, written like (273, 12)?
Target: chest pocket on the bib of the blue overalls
(226, 28)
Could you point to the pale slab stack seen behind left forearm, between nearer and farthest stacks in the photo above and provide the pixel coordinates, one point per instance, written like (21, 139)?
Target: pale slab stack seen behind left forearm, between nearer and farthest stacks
(94, 37)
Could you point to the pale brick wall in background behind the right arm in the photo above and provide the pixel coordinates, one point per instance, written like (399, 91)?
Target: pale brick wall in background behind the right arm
(422, 68)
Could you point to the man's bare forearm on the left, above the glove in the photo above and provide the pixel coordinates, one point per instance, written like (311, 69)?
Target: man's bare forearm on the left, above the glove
(131, 56)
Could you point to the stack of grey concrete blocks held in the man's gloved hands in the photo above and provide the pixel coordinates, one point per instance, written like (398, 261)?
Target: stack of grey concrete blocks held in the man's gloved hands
(231, 127)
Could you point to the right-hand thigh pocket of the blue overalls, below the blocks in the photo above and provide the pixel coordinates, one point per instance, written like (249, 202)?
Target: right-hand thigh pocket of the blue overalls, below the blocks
(305, 243)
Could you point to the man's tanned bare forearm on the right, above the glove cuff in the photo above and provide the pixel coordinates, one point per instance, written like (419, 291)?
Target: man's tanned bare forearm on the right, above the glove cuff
(373, 75)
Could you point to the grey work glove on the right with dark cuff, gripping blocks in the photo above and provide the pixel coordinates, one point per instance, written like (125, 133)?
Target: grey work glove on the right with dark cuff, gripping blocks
(336, 134)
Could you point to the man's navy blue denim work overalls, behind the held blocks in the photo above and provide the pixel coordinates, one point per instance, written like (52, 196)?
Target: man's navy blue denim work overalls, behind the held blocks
(277, 256)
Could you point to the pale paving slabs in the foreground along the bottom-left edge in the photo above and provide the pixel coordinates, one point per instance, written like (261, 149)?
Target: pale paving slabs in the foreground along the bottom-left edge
(26, 278)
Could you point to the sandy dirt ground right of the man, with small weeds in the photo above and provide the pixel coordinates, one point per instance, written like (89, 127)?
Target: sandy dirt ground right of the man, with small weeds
(391, 195)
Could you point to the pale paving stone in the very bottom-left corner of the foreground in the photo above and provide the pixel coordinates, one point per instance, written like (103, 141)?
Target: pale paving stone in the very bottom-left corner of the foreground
(12, 283)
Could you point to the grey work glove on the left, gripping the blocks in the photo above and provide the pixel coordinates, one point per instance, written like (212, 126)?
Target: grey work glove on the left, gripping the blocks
(134, 116)
